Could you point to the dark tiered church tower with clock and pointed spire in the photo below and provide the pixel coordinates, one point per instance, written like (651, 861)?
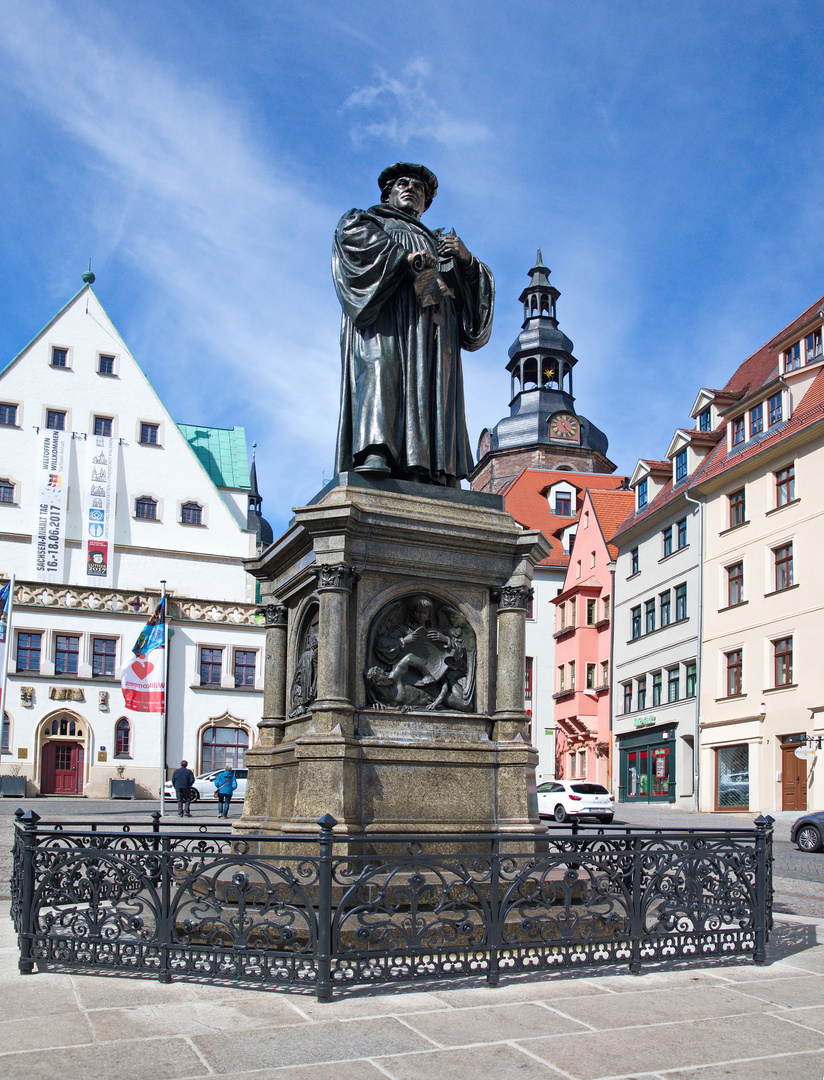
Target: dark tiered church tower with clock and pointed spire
(543, 431)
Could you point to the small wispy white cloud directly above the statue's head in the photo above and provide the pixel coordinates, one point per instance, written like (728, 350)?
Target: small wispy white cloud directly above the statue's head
(406, 110)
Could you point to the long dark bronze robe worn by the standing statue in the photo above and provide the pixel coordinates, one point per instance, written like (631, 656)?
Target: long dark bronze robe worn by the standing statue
(402, 384)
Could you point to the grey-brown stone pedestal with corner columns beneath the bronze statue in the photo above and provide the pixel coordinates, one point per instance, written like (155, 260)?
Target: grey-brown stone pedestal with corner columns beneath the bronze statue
(395, 685)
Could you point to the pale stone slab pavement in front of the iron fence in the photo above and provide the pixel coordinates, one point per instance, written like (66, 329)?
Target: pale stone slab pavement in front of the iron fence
(731, 1021)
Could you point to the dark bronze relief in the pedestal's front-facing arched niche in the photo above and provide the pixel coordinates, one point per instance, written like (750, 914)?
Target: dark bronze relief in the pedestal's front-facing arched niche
(422, 656)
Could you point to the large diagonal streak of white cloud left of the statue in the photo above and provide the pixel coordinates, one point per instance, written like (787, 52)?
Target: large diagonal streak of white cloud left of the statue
(238, 249)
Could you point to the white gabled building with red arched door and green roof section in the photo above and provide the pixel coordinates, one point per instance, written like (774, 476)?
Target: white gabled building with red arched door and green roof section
(181, 509)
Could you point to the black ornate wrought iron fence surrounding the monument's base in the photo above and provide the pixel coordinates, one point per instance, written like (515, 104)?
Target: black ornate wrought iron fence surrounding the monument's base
(196, 902)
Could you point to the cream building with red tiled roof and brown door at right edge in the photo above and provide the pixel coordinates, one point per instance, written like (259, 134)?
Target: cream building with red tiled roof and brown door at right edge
(763, 506)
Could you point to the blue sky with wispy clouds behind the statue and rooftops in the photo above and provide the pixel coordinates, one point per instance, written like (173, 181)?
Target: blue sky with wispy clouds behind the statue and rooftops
(667, 156)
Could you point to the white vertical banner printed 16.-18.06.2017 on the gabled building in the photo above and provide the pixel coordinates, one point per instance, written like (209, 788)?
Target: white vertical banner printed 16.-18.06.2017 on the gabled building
(50, 534)
